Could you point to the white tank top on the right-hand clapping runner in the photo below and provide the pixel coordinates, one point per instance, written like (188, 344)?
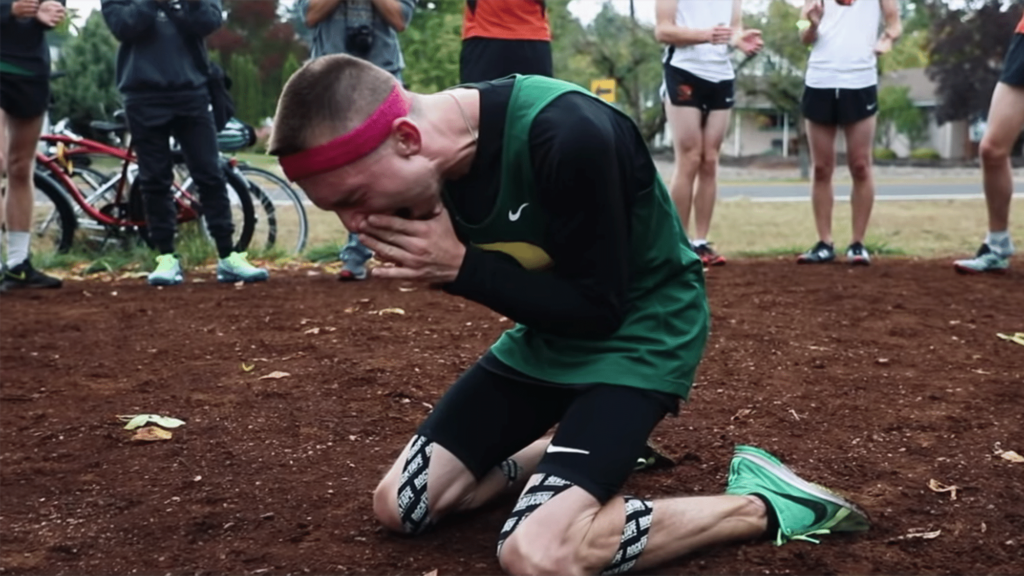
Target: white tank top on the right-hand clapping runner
(843, 57)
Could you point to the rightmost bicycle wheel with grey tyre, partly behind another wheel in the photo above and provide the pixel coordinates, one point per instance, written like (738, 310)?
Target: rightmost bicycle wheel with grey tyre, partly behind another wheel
(282, 222)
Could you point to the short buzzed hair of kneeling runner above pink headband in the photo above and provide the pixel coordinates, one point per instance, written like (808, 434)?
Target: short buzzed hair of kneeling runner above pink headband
(326, 99)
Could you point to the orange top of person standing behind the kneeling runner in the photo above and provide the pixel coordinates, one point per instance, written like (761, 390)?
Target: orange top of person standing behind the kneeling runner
(507, 20)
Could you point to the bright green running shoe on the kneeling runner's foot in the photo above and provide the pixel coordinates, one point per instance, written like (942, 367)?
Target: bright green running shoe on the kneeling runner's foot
(803, 510)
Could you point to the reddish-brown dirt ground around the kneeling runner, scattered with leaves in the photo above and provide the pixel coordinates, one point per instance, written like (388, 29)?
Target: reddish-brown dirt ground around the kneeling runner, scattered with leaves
(874, 382)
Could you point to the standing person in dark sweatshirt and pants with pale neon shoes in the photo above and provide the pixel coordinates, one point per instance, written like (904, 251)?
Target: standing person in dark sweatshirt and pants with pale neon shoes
(166, 95)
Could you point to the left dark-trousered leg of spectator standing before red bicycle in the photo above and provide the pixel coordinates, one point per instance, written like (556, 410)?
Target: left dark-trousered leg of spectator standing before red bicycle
(153, 151)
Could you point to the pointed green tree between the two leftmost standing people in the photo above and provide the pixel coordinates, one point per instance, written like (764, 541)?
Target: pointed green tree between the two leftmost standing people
(89, 92)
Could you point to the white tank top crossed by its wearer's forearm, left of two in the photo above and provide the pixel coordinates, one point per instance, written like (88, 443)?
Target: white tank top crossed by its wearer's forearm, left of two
(710, 62)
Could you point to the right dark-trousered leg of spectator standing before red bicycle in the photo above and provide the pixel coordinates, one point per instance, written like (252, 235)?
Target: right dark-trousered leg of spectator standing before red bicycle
(198, 138)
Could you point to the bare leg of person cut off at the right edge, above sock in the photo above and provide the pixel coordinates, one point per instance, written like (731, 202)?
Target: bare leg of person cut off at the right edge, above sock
(1006, 119)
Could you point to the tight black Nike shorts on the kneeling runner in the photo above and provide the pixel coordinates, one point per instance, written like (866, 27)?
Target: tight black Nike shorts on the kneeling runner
(493, 412)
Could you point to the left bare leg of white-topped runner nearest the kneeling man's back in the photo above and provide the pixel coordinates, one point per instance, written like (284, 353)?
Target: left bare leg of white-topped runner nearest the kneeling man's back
(685, 122)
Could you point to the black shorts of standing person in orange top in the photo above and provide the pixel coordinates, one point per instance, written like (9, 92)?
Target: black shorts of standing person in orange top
(491, 59)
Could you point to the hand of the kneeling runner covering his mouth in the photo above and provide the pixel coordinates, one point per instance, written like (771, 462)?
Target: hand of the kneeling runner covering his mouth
(426, 251)
